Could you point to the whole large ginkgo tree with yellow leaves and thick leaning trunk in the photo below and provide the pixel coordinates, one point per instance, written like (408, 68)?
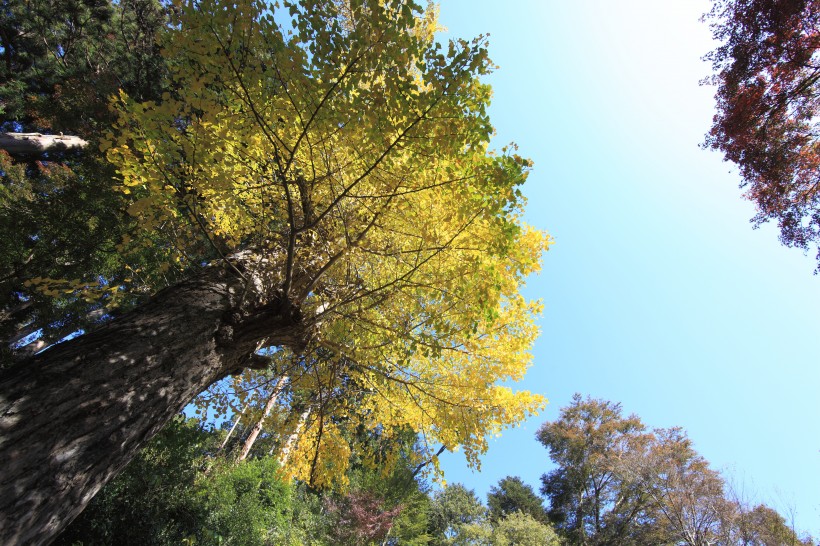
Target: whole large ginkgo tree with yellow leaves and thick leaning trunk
(336, 159)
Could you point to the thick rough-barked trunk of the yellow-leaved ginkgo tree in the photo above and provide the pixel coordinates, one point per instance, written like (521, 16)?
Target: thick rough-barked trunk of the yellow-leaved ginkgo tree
(74, 415)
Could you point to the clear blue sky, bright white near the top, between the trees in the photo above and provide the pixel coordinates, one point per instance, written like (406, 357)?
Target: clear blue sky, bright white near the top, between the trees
(658, 293)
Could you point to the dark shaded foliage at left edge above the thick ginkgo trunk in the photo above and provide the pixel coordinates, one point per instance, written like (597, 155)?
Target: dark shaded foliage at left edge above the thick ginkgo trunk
(62, 224)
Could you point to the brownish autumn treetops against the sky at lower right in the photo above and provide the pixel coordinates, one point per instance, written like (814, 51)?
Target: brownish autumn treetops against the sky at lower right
(616, 482)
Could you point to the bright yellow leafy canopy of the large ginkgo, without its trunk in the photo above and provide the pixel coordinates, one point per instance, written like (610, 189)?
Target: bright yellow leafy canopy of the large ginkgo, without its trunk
(348, 158)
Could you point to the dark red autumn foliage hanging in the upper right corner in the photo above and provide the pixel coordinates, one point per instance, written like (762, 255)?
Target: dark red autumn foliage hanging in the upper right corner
(768, 73)
